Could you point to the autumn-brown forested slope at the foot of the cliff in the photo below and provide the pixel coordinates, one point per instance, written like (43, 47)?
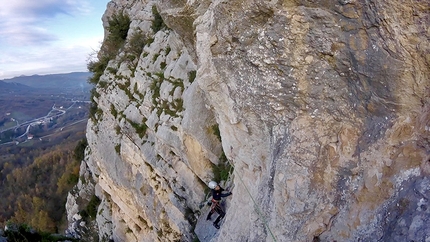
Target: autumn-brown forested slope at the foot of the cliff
(35, 193)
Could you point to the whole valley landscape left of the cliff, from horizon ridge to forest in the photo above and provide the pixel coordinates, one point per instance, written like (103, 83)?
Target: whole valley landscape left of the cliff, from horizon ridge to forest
(42, 121)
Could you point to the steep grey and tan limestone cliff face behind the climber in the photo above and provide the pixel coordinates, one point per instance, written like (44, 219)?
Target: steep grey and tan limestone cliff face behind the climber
(321, 108)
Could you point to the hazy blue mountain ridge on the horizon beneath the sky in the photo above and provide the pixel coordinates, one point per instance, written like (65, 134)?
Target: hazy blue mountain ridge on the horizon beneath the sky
(54, 81)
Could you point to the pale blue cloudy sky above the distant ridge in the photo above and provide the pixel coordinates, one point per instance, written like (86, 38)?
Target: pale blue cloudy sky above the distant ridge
(48, 36)
